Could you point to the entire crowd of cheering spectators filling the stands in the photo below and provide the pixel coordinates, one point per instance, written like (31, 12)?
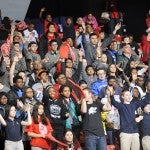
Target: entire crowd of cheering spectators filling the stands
(82, 85)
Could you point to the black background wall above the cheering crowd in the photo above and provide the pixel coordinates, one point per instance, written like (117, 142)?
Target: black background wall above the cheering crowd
(135, 11)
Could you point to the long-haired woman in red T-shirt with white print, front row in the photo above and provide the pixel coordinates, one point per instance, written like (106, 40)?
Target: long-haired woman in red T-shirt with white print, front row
(39, 128)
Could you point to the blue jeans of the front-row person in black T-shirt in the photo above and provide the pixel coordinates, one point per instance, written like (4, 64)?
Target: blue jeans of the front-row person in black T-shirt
(93, 142)
